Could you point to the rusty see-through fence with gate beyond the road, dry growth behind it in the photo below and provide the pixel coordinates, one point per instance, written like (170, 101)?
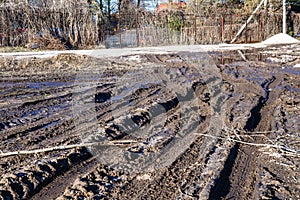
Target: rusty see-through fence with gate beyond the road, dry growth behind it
(212, 29)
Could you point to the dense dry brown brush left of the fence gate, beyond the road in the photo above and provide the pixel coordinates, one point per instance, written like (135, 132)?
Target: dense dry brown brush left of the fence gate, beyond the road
(72, 24)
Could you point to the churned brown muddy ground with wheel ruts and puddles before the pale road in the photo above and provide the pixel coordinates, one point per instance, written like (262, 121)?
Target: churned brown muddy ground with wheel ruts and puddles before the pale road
(262, 106)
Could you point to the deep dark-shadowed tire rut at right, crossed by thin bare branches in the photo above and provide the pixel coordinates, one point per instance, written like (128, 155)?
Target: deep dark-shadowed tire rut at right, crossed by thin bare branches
(241, 160)
